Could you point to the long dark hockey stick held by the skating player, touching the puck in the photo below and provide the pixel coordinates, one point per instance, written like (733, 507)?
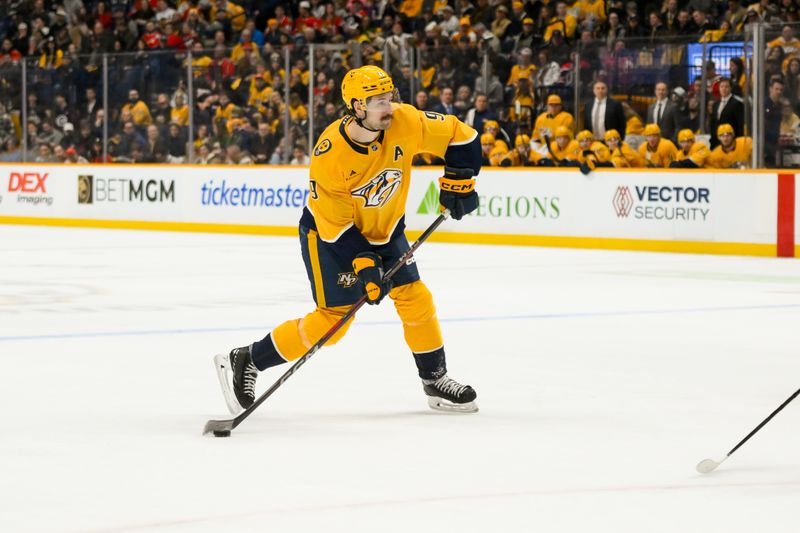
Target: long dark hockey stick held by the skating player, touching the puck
(222, 428)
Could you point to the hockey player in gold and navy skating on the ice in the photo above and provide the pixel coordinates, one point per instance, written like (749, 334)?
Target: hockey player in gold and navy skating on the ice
(354, 225)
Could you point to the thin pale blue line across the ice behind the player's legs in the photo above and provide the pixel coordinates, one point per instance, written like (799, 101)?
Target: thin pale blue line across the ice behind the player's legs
(543, 316)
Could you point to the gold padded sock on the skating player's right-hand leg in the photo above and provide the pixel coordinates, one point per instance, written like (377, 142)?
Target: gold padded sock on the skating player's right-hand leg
(414, 304)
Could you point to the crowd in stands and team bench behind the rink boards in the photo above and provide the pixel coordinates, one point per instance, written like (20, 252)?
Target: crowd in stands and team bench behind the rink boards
(508, 68)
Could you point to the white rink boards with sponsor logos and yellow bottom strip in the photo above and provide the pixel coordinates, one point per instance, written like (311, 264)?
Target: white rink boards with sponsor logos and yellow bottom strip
(722, 212)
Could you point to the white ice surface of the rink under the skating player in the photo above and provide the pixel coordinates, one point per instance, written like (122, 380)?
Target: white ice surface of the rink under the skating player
(602, 379)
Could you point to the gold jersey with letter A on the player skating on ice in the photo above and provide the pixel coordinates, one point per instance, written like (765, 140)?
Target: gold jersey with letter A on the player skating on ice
(366, 185)
